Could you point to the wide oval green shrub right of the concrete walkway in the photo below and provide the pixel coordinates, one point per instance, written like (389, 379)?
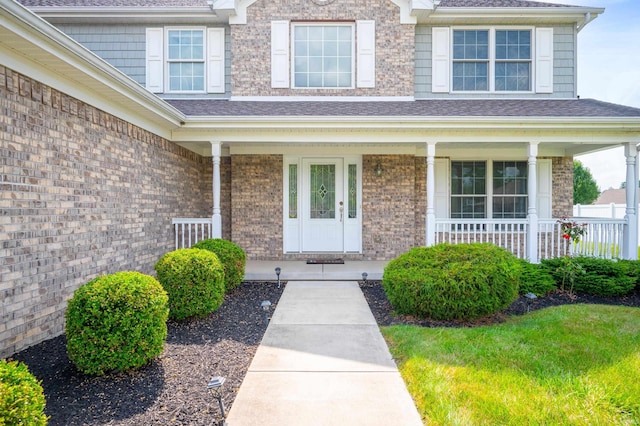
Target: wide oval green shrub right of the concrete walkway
(452, 281)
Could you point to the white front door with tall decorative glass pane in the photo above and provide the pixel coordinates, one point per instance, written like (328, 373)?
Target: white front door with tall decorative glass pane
(323, 205)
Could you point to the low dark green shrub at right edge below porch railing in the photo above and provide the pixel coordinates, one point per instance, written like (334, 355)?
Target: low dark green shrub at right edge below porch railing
(600, 277)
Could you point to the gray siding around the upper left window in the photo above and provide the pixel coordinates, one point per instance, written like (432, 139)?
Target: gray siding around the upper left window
(123, 46)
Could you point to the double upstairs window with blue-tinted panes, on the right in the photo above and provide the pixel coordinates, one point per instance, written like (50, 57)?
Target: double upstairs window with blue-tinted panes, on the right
(492, 60)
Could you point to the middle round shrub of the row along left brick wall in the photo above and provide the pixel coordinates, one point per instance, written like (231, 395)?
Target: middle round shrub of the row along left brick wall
(194, 280)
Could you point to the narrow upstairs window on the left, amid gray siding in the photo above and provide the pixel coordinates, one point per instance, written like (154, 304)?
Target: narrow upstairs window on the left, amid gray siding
(185, 57)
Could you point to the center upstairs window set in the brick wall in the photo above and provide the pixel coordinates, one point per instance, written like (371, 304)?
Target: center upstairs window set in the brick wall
(323, 56)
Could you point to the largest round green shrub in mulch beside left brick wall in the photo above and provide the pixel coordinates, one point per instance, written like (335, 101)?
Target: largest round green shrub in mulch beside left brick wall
(116, 322)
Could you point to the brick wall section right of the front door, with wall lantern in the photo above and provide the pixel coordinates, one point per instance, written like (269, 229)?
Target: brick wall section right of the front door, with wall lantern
(388, 227)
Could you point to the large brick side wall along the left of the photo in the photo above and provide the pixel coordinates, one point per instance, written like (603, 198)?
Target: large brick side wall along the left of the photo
(83, 193)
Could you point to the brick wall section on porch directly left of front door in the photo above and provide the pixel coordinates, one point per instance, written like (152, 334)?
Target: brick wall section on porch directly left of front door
(256, 205)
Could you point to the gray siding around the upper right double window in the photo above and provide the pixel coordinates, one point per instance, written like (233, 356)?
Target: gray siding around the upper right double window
(564, 67)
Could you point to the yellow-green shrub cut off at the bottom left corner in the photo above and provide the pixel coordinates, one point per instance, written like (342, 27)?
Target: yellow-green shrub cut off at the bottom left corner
(22, 399)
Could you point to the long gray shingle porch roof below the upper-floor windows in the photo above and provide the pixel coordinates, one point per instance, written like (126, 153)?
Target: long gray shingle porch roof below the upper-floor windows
(422, 108)
